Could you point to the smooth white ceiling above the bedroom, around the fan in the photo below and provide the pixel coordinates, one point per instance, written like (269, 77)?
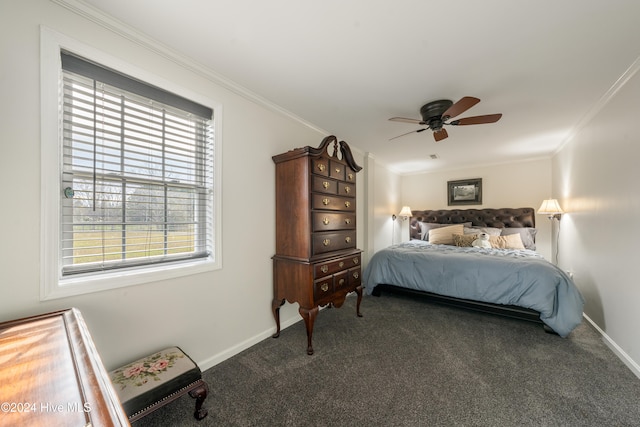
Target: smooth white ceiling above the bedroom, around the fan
(347, 66)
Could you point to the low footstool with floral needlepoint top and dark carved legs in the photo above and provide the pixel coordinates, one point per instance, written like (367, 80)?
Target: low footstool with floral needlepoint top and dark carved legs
(153, 381)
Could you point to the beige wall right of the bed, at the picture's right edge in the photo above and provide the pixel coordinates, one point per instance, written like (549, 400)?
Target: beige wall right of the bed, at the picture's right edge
(596, 178)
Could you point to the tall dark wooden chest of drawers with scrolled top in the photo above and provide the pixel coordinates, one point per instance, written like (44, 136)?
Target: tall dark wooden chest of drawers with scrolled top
(316, 261)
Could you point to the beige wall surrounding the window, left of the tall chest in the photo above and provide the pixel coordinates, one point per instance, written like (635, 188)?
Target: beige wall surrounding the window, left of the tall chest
(211, 315)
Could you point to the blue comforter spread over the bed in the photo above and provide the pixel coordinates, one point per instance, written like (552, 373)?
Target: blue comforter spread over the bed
(502, 276)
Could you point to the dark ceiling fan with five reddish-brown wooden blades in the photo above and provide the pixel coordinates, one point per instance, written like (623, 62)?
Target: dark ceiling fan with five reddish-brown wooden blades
(436, 114)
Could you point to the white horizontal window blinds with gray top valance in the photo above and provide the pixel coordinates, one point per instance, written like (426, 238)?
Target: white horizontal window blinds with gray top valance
(137, 173)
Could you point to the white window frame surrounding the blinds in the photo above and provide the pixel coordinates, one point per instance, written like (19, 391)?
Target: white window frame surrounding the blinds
(52, 283)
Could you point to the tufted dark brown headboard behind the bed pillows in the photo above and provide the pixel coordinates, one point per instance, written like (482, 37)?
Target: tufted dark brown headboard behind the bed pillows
(499, 218)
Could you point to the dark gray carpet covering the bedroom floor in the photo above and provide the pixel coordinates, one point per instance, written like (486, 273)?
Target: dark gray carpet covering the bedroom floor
(408, 362)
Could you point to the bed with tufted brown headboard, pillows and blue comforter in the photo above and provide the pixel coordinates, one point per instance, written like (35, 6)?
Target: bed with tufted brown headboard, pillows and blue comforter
(510, 280)
